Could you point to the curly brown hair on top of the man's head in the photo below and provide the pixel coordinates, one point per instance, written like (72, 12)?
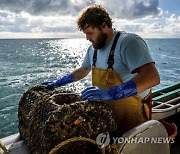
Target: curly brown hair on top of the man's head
(94, 16)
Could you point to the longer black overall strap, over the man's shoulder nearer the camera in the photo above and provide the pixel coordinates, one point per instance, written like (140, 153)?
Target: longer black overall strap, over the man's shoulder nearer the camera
(111, 54)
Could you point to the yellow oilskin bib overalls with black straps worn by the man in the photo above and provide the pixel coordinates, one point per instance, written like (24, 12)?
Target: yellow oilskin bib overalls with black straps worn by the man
(128, 112)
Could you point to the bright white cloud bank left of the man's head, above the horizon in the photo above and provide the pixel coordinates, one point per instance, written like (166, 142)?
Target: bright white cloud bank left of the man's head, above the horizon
(24, 22)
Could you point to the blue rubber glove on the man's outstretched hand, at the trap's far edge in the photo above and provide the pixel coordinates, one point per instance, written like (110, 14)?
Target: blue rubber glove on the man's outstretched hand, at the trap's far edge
(68, 78)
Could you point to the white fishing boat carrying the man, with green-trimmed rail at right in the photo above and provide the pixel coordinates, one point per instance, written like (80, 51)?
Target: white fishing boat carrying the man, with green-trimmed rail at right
(163, 129)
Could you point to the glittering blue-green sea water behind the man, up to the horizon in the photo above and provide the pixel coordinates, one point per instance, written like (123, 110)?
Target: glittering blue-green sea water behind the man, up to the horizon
(28, 62)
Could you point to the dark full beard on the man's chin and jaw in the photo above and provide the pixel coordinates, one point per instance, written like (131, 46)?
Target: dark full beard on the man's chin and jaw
(101, 41)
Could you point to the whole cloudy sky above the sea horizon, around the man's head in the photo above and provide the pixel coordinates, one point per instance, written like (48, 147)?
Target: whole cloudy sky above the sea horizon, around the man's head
(57, 18)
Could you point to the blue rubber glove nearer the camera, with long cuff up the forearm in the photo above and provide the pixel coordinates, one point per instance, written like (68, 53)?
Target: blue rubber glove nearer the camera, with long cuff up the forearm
(124, 90)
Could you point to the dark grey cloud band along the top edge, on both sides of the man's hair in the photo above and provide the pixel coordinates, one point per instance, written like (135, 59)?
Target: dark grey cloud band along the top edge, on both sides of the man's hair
(119, 8)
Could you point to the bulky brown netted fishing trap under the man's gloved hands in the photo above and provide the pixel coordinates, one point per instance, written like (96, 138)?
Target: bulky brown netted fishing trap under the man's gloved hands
(48, 117)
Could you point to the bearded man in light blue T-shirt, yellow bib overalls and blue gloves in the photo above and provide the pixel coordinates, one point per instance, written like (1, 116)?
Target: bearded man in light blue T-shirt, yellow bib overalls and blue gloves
(122, 69)
